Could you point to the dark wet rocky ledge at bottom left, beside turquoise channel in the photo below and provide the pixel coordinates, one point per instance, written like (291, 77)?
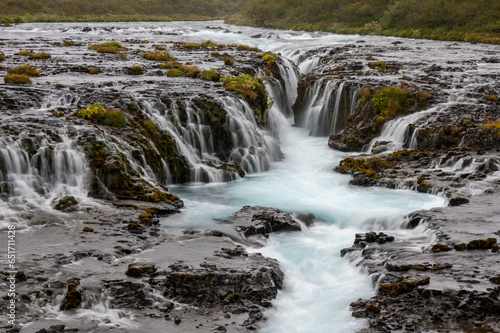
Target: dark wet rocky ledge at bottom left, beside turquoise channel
(195, 279)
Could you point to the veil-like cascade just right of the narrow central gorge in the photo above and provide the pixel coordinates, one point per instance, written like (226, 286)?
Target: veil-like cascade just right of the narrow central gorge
(326, 107)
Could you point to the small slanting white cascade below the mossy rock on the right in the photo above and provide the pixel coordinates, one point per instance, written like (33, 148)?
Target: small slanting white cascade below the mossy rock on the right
(396, 133)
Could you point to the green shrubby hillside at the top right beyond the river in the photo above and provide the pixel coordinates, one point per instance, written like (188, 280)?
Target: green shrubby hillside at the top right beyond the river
(468, 20)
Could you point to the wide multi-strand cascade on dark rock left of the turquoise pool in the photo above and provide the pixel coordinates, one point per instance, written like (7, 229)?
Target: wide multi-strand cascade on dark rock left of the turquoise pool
(215, 152)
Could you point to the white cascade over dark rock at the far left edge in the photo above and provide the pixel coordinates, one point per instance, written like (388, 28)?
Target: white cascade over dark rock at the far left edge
(37, 170)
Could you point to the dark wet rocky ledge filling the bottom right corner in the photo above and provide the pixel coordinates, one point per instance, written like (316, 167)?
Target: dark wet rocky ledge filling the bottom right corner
(449, 286)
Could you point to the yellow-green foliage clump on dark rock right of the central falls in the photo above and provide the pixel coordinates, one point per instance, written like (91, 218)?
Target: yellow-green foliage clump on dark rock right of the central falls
(391, 101)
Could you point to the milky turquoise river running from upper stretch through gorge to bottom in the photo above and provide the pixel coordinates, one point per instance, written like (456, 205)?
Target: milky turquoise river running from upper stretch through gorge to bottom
(319, 284)
